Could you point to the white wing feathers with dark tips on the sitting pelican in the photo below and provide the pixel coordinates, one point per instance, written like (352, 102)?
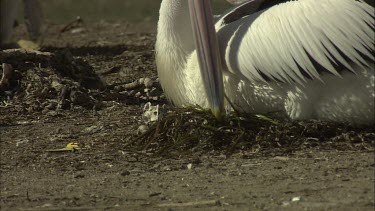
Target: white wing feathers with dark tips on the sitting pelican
(296, 40)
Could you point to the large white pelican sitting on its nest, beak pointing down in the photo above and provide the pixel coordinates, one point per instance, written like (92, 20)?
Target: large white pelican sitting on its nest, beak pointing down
(311, 59)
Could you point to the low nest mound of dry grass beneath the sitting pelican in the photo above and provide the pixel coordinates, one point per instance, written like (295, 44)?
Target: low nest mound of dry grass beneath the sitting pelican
(191, 130)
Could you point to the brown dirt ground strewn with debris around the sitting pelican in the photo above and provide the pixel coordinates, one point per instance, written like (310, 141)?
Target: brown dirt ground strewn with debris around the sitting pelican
(78, 94)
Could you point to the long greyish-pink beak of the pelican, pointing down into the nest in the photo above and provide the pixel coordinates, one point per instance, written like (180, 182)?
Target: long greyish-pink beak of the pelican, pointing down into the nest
(208, 54)
